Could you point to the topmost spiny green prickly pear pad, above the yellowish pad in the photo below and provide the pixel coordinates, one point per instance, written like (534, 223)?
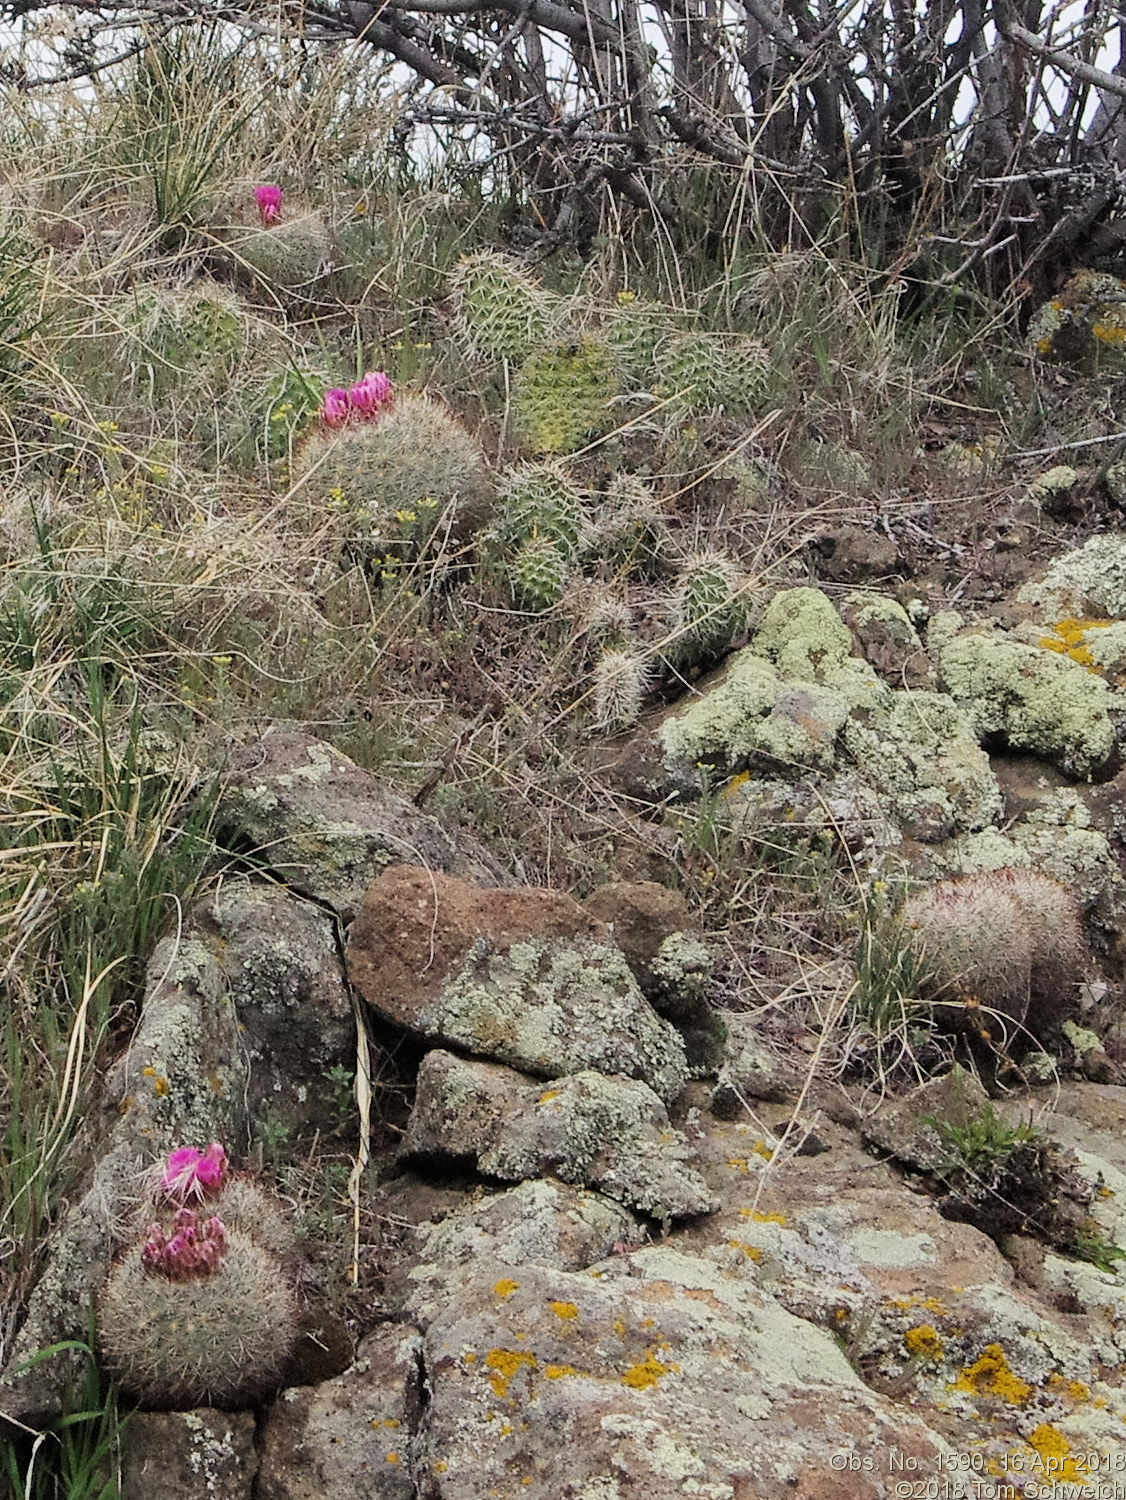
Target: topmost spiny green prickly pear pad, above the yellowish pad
(502, 313)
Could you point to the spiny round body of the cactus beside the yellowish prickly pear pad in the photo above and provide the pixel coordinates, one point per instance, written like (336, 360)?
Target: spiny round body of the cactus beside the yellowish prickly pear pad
(401, 478)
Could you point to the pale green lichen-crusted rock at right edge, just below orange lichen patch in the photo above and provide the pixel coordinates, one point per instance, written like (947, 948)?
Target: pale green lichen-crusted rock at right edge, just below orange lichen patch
(1034, 700)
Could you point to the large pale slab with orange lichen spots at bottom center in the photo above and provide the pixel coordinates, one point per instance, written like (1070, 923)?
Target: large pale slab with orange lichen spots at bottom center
(654, 1375)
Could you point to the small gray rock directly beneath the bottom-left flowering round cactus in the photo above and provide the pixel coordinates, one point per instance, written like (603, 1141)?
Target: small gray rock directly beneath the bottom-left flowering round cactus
(190, 1456)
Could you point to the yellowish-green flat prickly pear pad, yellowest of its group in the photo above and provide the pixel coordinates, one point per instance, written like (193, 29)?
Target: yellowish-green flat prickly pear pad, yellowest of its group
(563, 395)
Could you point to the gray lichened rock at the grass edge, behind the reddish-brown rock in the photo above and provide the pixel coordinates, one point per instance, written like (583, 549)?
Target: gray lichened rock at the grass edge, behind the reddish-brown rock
(331, 829)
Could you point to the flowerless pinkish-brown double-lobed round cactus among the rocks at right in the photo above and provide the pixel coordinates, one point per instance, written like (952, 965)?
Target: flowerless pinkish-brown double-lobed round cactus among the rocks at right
(1005, 943)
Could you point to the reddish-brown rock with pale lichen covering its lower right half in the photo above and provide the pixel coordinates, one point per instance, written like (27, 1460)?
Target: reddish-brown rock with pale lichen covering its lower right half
(524, 977)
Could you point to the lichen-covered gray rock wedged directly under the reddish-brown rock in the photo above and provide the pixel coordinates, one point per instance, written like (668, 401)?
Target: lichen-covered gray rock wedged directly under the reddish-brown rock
(608, 1133)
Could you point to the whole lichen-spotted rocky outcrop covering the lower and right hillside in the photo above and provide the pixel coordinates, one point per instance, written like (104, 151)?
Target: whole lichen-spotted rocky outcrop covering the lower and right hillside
(618, 1225)
